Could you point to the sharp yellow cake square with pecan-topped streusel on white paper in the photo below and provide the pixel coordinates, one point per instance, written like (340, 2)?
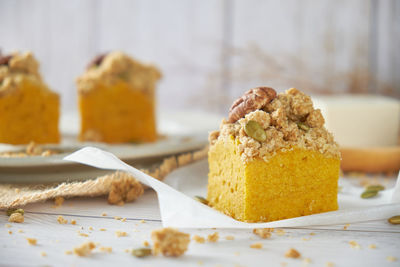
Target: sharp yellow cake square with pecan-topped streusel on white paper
(273, 159)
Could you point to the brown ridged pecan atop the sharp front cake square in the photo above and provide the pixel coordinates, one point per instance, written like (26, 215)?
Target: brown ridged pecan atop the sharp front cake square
(252, 100)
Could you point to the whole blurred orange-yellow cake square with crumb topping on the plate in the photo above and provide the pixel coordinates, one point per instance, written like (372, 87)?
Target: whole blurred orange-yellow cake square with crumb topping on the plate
(117, 100)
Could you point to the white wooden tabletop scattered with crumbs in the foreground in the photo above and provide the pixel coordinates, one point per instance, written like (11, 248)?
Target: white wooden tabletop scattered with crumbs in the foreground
(319, 246)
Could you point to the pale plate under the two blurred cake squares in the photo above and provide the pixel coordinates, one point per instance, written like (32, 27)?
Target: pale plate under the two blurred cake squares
(181, 132)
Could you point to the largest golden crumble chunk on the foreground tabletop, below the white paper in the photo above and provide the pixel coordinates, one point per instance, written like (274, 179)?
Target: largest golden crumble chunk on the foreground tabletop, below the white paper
(170, 242)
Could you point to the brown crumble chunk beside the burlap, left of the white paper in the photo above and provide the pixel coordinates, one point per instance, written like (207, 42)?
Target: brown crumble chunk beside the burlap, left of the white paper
(125, 188)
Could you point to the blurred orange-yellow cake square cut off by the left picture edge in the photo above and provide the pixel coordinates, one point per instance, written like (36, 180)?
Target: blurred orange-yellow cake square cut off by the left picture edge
(29, 111)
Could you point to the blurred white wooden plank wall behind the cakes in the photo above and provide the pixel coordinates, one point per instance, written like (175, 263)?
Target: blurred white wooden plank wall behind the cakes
(210, 51)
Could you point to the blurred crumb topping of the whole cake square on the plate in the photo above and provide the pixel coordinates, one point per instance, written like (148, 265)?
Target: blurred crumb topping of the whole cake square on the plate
(116, 66)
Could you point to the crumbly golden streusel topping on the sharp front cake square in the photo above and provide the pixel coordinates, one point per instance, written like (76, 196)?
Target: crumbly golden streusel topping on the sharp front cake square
(289, 121)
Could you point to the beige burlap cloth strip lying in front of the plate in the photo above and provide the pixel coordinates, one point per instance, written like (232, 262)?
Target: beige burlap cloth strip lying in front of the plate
(12, 195)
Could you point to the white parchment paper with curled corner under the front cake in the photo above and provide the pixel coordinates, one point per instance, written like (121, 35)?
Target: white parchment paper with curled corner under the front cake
(179, 209)
